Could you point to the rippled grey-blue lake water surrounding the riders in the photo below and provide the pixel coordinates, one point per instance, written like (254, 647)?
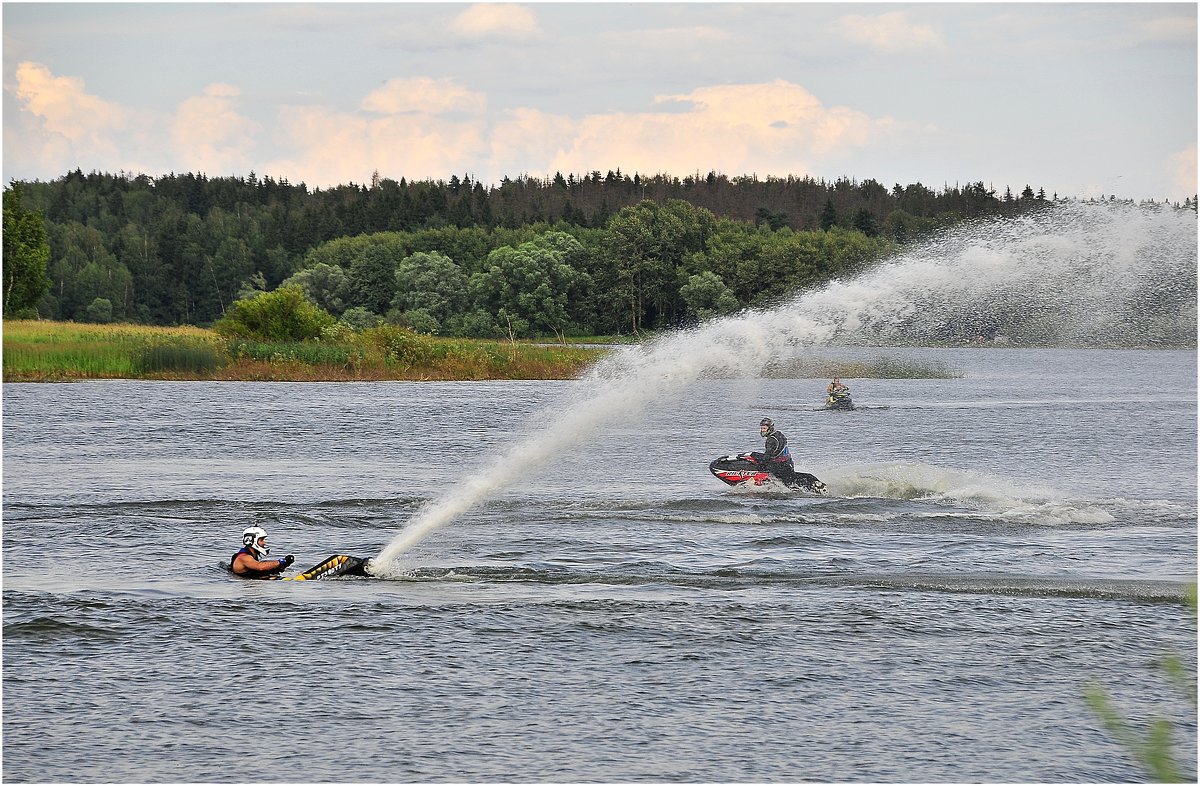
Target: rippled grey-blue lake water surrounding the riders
(992, 545)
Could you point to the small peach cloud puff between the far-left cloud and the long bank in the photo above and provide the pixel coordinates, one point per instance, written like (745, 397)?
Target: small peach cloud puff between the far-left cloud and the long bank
(211, 136)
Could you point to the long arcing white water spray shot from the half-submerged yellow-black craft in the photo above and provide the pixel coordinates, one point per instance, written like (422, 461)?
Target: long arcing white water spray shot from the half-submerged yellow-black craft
(1073, 275)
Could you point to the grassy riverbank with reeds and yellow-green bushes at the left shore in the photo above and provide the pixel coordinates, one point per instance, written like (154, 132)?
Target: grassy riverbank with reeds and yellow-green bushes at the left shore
(43, 351)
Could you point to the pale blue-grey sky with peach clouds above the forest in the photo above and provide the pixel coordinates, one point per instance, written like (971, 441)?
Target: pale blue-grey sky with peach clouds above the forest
(1082, 100)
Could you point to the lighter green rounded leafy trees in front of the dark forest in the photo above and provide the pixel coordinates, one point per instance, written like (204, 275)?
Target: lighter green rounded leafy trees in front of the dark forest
(656, 266)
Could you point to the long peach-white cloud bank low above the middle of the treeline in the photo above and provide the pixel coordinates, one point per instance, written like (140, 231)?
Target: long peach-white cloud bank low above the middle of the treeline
(771, 128)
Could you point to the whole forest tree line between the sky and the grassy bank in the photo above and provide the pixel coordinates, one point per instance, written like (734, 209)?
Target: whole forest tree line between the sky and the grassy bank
(592, 255)
